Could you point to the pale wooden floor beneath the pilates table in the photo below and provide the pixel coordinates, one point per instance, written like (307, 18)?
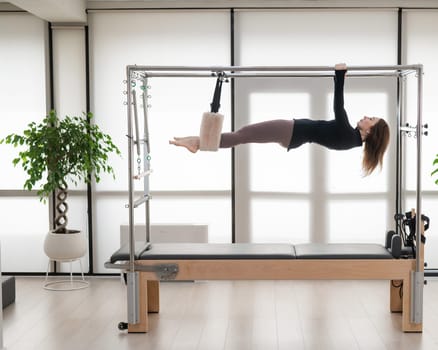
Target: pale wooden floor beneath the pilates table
(218, 315)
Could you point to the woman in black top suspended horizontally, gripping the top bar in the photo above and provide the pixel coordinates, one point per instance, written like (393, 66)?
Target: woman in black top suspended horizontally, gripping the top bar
(335, 134)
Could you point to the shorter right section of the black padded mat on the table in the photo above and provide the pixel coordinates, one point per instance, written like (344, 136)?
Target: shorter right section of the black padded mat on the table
(341, 251)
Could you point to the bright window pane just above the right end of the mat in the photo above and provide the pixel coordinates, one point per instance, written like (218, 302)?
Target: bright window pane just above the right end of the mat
(365, 221)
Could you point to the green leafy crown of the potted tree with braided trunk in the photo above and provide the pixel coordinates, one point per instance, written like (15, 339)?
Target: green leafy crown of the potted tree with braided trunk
(56, 151)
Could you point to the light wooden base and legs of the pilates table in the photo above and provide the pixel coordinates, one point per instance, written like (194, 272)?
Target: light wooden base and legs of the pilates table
(397, 271)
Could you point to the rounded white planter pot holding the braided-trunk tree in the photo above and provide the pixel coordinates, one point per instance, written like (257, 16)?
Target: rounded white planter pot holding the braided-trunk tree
(65, 246)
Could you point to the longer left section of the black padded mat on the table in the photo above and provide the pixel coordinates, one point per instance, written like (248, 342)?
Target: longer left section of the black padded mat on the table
(191, 251)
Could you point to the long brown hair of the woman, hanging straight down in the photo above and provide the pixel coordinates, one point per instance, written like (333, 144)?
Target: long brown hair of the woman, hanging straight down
(375, 146)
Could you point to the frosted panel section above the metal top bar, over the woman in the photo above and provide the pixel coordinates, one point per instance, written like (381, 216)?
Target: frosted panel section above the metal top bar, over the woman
(316, 37)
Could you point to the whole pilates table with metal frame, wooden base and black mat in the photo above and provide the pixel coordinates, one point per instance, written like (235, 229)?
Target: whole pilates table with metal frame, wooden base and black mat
(145, 264)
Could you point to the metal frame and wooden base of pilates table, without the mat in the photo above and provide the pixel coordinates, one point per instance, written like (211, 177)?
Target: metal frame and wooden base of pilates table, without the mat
(143, 274)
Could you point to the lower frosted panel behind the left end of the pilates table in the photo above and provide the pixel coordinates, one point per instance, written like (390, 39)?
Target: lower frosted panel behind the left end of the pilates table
(214, 211)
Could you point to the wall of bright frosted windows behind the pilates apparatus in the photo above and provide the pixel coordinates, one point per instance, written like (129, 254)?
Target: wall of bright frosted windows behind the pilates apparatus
(307, 194)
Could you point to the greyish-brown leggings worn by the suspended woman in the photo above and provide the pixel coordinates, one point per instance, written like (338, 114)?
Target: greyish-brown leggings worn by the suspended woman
(276, 131)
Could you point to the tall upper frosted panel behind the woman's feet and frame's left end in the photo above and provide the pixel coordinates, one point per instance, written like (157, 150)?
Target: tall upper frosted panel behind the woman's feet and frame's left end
(119, 39)
